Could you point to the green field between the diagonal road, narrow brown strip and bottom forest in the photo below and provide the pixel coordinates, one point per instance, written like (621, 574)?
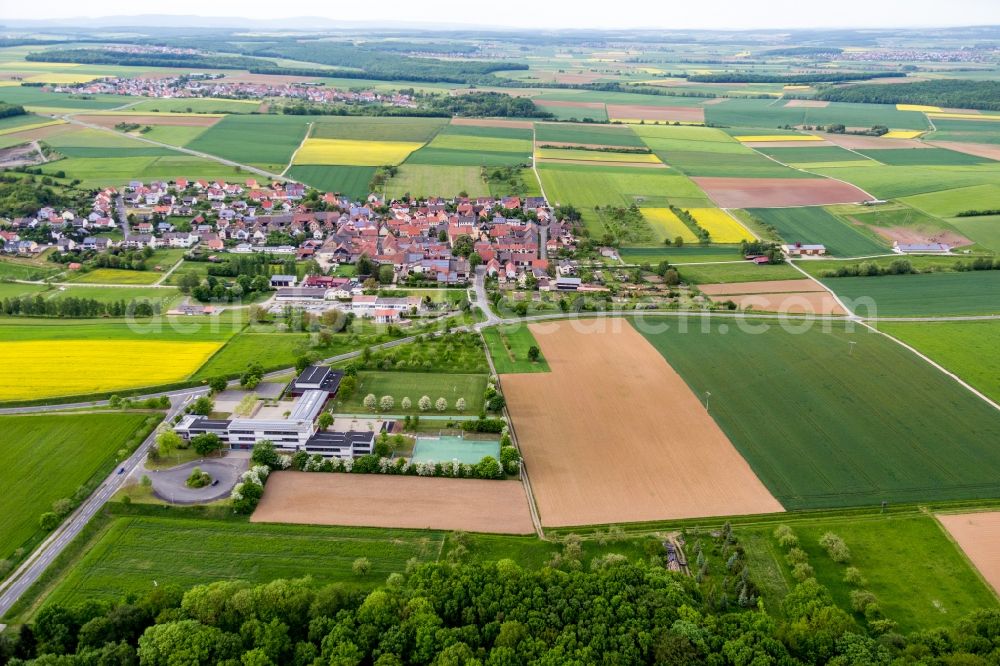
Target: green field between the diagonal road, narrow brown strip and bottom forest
(133, 552)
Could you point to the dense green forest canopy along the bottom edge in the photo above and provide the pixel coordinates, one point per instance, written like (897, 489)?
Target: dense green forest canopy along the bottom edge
(499, 613)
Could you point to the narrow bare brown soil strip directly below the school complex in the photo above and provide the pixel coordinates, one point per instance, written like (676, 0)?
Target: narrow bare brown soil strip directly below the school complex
(374, 500)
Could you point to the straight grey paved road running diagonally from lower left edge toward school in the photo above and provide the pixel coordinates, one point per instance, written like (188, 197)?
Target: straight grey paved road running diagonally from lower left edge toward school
(32, 568)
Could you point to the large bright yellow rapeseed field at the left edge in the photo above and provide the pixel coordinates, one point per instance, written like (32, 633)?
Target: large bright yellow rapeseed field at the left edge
(81, 367)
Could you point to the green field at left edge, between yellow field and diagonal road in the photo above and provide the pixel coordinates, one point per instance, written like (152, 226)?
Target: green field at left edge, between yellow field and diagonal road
(49, 457)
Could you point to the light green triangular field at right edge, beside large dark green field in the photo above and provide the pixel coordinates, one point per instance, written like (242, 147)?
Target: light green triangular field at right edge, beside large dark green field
(967, 348)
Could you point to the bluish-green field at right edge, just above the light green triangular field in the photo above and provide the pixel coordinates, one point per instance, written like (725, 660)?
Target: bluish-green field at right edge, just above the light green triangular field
(931, 294)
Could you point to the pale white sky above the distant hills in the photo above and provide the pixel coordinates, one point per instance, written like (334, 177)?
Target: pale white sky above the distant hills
(677, 14)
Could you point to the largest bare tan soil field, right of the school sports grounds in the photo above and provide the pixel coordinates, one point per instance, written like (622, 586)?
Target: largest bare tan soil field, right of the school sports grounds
(613, 434)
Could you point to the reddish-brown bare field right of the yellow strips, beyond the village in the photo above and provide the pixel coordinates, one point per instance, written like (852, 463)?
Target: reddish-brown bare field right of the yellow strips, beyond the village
(778, 192)
